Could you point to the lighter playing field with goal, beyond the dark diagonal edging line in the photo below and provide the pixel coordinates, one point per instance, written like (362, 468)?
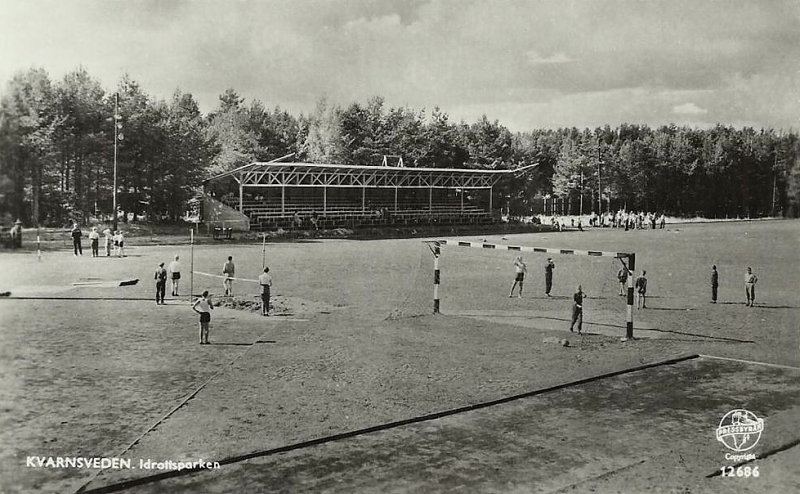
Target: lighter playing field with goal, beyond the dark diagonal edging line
(89, 371)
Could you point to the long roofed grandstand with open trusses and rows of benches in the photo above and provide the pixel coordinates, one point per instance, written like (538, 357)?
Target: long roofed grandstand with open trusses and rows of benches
(275, 194)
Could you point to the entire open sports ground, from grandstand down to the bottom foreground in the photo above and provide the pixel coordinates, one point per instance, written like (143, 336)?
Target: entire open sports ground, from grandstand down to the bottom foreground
(105, 372)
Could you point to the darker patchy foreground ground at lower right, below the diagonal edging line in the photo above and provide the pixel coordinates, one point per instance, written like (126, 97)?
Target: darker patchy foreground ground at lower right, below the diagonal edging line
(696, 423)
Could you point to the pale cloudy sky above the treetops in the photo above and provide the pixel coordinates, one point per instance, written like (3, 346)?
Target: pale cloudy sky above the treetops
(527, 63)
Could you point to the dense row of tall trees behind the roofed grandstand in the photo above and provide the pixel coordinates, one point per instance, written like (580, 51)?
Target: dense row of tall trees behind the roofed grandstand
(57, 153)
